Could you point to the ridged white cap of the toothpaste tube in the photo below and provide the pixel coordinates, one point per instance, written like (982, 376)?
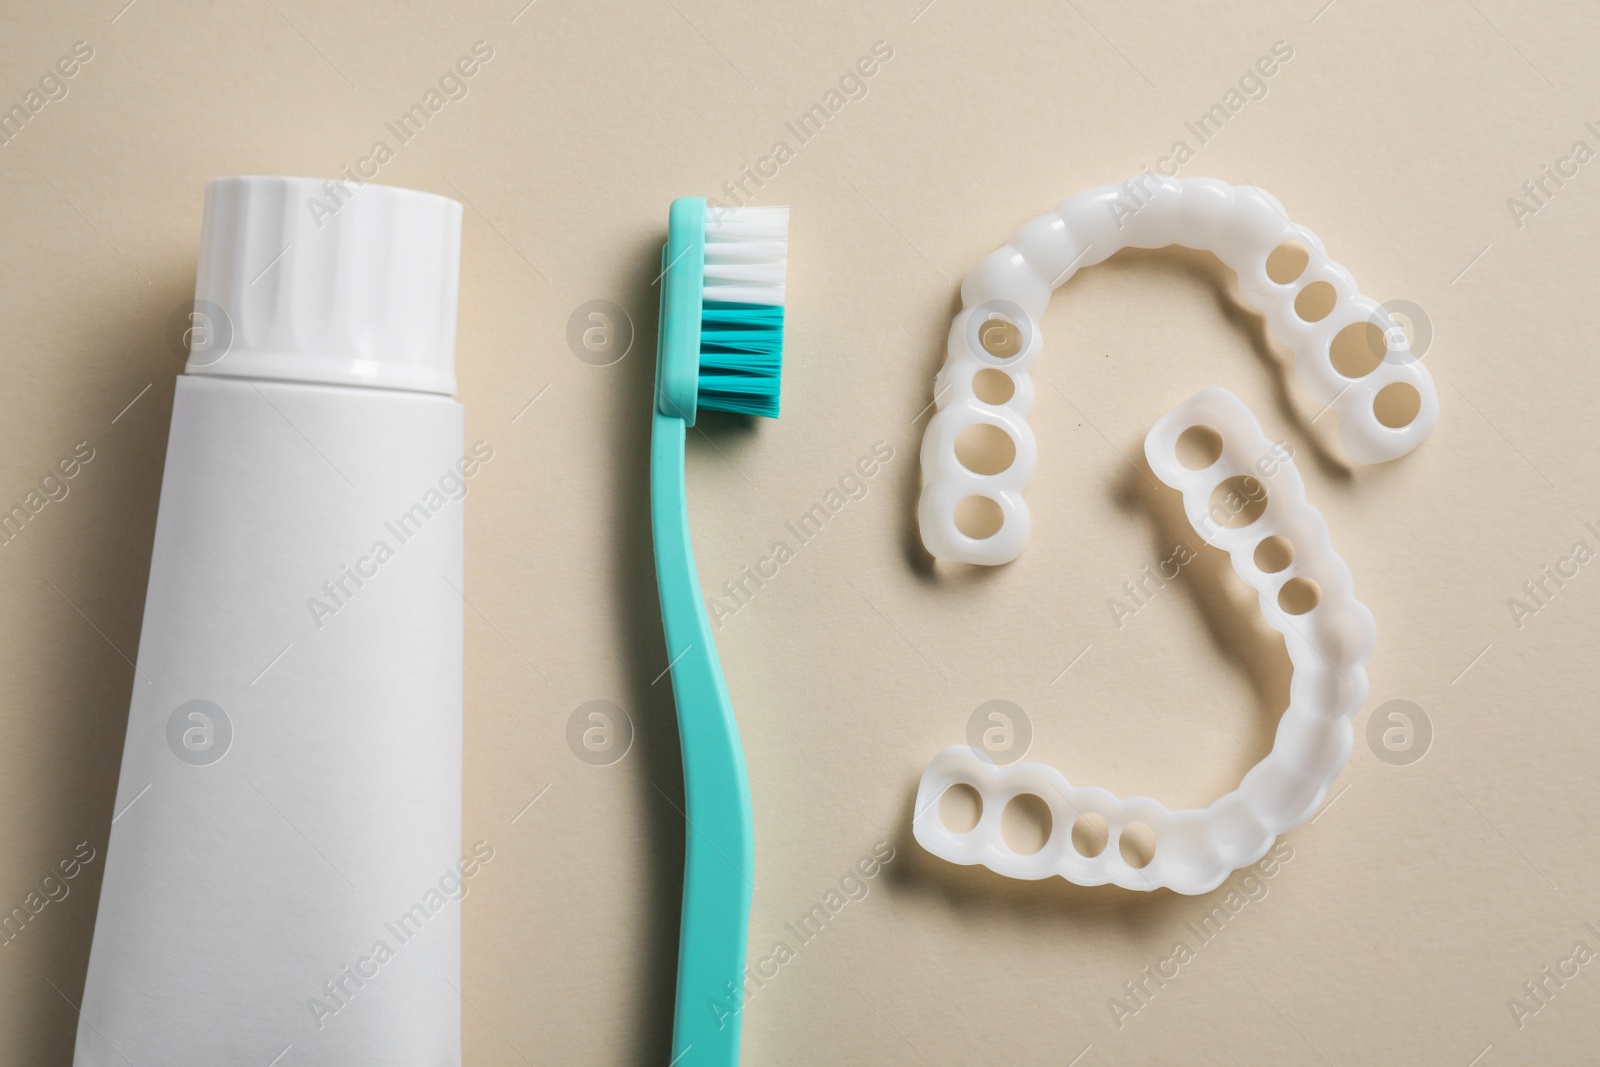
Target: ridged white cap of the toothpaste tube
(335, 282)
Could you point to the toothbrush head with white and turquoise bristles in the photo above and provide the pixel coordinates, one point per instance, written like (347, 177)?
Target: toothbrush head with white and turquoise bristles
(722, 310)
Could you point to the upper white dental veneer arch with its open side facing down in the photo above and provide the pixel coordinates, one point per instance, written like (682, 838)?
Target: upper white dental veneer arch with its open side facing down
(1004, 300)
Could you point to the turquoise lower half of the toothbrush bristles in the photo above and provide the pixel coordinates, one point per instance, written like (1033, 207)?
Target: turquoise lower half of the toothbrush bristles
(742, 358)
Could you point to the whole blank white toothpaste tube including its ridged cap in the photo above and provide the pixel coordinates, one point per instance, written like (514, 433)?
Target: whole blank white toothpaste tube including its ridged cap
(286, 863)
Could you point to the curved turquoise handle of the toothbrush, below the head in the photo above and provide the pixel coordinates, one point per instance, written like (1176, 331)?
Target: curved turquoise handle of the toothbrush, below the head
(721, 850)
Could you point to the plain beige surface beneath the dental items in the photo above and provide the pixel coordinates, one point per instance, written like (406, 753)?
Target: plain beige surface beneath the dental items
(1412, 909)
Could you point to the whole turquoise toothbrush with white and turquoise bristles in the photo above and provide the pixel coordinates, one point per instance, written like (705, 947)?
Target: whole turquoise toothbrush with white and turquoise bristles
(721, 346)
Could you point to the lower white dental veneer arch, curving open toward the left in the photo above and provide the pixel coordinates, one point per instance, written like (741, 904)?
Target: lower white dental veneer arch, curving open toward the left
(1305, 594)
